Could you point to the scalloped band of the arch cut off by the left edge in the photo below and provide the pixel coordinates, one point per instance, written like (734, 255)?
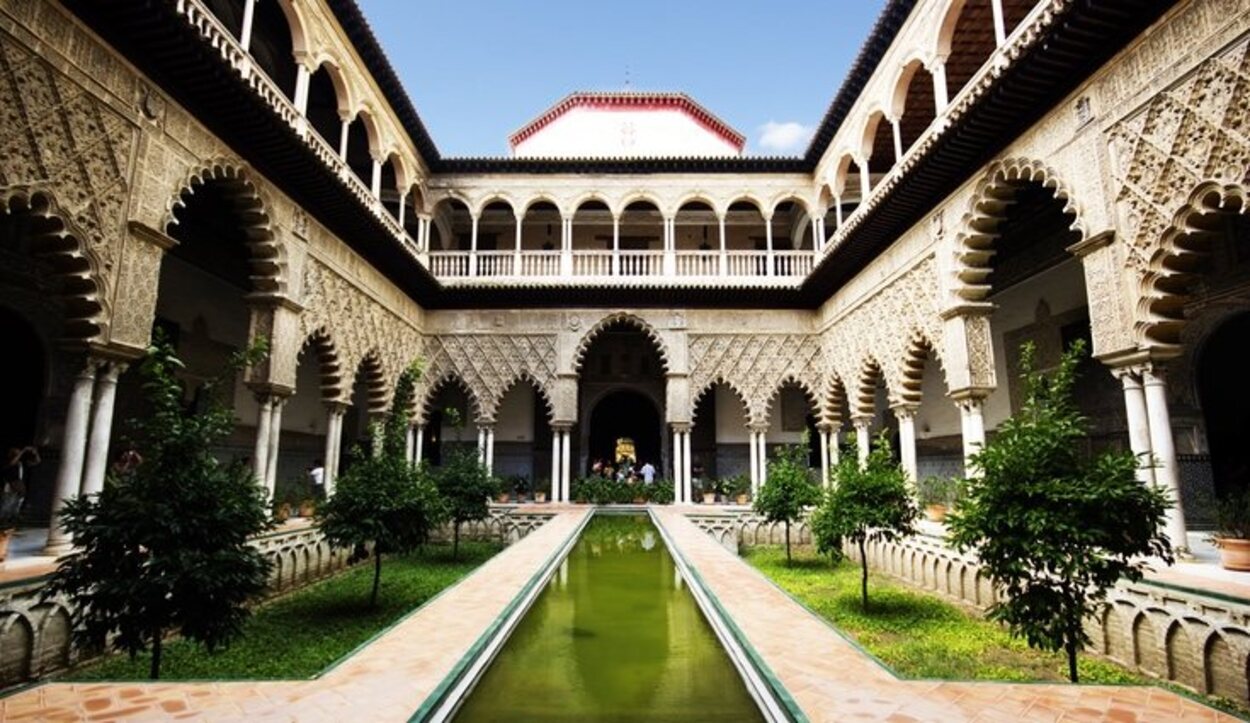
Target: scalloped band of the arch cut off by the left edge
(54, 238)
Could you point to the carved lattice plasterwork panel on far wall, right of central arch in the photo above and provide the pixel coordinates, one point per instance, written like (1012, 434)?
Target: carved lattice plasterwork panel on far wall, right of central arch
(756, 367)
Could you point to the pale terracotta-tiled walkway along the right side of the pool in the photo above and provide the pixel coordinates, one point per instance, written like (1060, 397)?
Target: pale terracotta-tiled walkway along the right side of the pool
(834, 681)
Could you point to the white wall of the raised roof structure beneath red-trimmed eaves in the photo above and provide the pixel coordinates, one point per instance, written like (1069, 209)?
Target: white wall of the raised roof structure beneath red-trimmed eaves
(611, 133)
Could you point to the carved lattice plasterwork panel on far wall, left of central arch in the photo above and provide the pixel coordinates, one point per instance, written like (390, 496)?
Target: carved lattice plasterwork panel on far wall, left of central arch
(488, 366)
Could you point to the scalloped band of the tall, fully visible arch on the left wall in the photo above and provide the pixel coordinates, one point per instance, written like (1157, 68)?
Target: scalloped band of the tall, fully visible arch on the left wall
(267, 256)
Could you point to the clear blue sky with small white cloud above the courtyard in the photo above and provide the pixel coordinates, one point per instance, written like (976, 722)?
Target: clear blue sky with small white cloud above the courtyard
(478, 71)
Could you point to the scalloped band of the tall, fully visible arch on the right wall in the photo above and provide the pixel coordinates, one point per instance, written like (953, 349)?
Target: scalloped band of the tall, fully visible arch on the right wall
(992, 201)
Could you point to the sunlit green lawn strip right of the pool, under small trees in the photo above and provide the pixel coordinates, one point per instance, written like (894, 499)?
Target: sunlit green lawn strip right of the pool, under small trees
(923, 636)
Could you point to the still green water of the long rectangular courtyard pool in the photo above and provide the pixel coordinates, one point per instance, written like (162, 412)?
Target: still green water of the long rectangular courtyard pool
(614, 637)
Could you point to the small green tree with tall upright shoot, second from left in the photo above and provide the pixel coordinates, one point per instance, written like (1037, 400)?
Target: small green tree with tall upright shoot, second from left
(382, 500)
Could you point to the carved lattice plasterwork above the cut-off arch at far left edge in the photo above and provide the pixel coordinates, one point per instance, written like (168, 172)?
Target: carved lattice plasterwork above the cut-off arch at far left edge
(61, 142)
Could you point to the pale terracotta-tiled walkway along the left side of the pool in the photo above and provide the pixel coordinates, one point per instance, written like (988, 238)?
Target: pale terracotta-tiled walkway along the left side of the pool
(387, 681)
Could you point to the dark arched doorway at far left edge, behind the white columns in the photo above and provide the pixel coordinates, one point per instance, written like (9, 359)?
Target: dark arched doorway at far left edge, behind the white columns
(24, 390)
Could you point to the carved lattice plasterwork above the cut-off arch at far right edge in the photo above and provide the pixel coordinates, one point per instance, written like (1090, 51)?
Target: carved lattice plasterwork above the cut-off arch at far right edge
(1186, 153)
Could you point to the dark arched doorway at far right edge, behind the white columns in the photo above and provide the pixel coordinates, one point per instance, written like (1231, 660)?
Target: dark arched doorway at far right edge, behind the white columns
(1227, 405)
